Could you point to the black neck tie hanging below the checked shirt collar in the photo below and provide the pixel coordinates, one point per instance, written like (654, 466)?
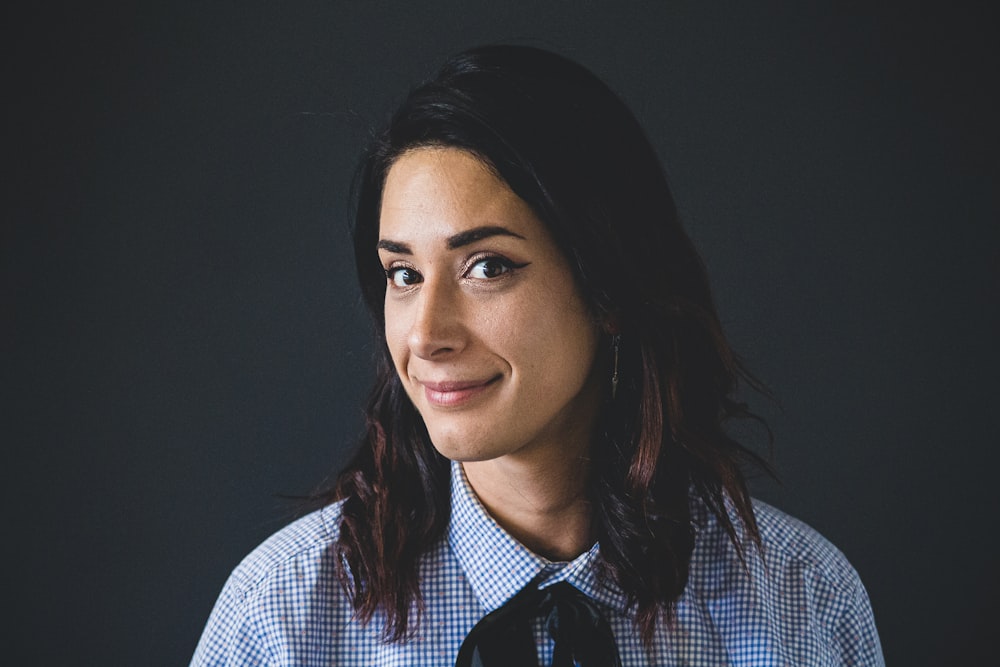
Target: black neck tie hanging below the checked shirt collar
(503, 638)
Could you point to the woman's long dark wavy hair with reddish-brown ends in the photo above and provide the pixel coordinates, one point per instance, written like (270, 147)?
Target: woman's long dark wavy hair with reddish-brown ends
(571, 149)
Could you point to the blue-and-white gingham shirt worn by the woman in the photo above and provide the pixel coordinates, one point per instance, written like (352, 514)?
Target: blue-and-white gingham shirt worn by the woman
(283, 606)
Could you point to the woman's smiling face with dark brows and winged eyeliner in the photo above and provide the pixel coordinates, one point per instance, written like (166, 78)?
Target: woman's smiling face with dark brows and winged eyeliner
(484, 321)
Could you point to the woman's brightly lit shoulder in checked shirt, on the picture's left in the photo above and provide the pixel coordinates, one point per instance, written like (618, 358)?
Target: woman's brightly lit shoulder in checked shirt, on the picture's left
(279, 597)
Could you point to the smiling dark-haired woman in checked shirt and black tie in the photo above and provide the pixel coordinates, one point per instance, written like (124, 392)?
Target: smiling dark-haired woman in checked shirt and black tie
(546, 477)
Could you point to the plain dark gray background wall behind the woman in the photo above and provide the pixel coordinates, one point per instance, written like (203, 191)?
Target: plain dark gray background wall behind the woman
(183, 339)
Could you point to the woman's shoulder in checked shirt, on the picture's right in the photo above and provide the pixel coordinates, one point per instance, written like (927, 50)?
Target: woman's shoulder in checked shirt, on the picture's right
(798, 594)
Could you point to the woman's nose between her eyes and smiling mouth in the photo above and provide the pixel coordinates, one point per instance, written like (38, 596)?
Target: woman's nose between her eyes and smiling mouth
(437, 327)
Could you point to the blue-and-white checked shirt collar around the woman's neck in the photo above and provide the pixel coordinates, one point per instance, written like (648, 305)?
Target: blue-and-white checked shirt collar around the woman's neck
(497, 566)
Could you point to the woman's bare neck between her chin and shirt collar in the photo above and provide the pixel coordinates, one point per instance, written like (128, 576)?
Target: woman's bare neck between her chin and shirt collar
(545, 509)
